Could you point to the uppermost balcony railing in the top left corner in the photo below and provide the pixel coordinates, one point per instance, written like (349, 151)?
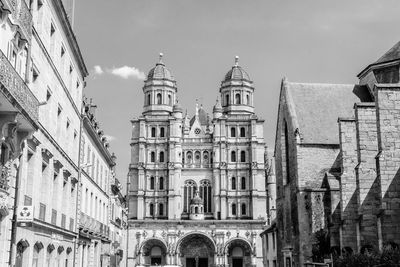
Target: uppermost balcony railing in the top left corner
(20, 14)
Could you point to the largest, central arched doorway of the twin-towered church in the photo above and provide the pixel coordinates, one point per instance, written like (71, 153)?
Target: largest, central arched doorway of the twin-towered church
(196, 250)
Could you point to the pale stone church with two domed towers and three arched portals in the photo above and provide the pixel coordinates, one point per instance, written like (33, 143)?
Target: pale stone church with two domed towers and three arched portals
(197, 185)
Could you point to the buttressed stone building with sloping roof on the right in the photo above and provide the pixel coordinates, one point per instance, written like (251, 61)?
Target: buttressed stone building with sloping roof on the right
(336, 165)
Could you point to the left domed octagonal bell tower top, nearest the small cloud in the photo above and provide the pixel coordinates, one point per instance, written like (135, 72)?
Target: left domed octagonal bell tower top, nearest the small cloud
(159, 90)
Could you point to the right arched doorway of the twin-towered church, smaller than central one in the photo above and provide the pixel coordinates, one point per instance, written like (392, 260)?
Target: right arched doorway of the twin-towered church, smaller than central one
(238, 252)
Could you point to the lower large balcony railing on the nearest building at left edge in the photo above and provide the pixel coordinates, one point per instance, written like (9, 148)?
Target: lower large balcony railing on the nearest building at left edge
(14, 88)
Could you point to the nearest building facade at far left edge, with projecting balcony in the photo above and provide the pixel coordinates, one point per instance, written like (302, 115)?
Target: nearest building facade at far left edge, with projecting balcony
(19, 112)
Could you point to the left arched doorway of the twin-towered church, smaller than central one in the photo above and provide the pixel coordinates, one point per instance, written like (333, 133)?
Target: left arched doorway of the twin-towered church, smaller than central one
(154, 252)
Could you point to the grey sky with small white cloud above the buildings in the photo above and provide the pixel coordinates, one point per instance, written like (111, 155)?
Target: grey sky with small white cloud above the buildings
(305, 41)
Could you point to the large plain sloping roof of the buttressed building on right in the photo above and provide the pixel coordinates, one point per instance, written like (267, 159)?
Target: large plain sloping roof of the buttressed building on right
(318, 106)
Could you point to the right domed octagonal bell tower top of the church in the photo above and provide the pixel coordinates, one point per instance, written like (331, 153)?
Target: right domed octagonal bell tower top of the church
(237, 91)
